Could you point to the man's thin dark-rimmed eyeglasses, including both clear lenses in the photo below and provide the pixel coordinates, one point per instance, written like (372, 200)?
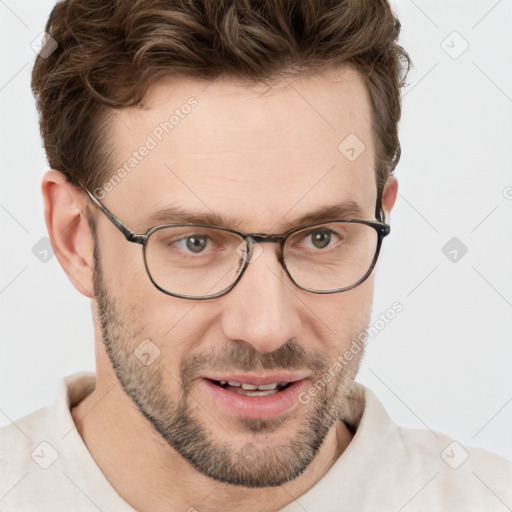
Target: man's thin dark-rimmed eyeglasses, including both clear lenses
(194, 261)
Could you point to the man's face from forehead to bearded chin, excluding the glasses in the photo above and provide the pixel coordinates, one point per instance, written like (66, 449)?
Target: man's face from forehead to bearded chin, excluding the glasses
(261, 160)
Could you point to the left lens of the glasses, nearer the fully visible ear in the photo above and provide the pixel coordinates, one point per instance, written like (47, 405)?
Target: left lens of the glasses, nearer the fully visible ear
(193, 260)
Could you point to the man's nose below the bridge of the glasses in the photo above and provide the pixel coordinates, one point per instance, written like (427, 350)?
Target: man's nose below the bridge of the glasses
(263, 309)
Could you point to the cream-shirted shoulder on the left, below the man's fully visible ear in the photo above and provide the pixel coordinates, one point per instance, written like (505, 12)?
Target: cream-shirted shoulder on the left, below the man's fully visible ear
(42, 456)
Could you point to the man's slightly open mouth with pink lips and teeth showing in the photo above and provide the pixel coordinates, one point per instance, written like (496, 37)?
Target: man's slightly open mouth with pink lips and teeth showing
(255, 396)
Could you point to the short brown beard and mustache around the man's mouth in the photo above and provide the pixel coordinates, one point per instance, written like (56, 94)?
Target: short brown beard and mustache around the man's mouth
(256, 464)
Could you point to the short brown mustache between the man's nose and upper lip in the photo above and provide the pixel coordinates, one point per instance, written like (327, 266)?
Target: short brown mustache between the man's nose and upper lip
(242, 357)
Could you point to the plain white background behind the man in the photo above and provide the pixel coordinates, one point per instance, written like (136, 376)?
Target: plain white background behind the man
(445, 361)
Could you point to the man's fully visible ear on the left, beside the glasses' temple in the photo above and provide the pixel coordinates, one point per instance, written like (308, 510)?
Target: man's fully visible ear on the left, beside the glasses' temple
(65, 213)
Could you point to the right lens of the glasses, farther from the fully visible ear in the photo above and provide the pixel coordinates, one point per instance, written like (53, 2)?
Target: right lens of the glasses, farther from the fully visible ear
(331, 256)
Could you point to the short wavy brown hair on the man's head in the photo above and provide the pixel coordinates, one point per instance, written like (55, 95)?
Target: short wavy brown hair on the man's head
(111, 51)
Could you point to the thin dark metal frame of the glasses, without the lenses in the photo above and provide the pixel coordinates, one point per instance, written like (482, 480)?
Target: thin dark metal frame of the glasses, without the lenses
(250, 239)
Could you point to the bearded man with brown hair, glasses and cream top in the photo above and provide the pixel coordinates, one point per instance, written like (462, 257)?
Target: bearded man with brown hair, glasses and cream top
(248, 148)
